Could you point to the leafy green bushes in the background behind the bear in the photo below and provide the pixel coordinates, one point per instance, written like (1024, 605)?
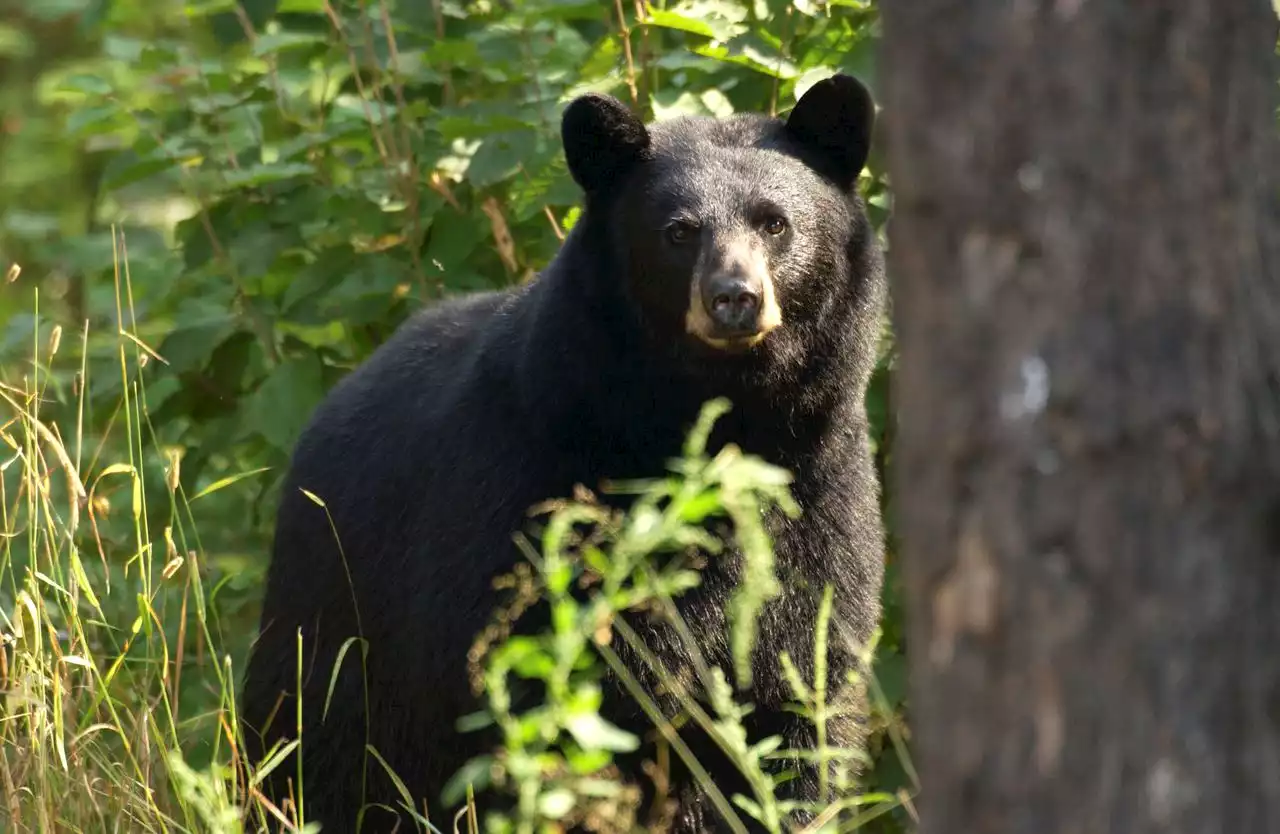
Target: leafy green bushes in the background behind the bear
(290, 191)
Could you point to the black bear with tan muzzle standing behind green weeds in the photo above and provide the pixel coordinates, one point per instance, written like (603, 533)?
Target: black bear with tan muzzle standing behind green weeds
(715, 258)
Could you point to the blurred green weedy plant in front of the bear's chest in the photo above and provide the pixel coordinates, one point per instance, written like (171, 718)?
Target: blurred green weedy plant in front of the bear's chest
(555, 755)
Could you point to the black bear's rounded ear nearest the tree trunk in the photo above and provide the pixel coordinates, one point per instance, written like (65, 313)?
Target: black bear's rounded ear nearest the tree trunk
(835, 118)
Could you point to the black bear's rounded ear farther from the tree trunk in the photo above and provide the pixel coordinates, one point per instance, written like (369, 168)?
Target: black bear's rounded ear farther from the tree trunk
(602, 140)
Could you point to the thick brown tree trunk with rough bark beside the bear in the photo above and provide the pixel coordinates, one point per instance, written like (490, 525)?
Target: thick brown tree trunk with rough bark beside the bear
(1087, 283)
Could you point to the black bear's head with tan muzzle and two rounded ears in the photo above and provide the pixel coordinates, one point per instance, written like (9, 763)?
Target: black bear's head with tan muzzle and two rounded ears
(742, 242)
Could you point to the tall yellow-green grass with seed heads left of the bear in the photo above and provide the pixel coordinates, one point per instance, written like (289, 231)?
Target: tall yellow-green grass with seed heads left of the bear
(106, 618)
